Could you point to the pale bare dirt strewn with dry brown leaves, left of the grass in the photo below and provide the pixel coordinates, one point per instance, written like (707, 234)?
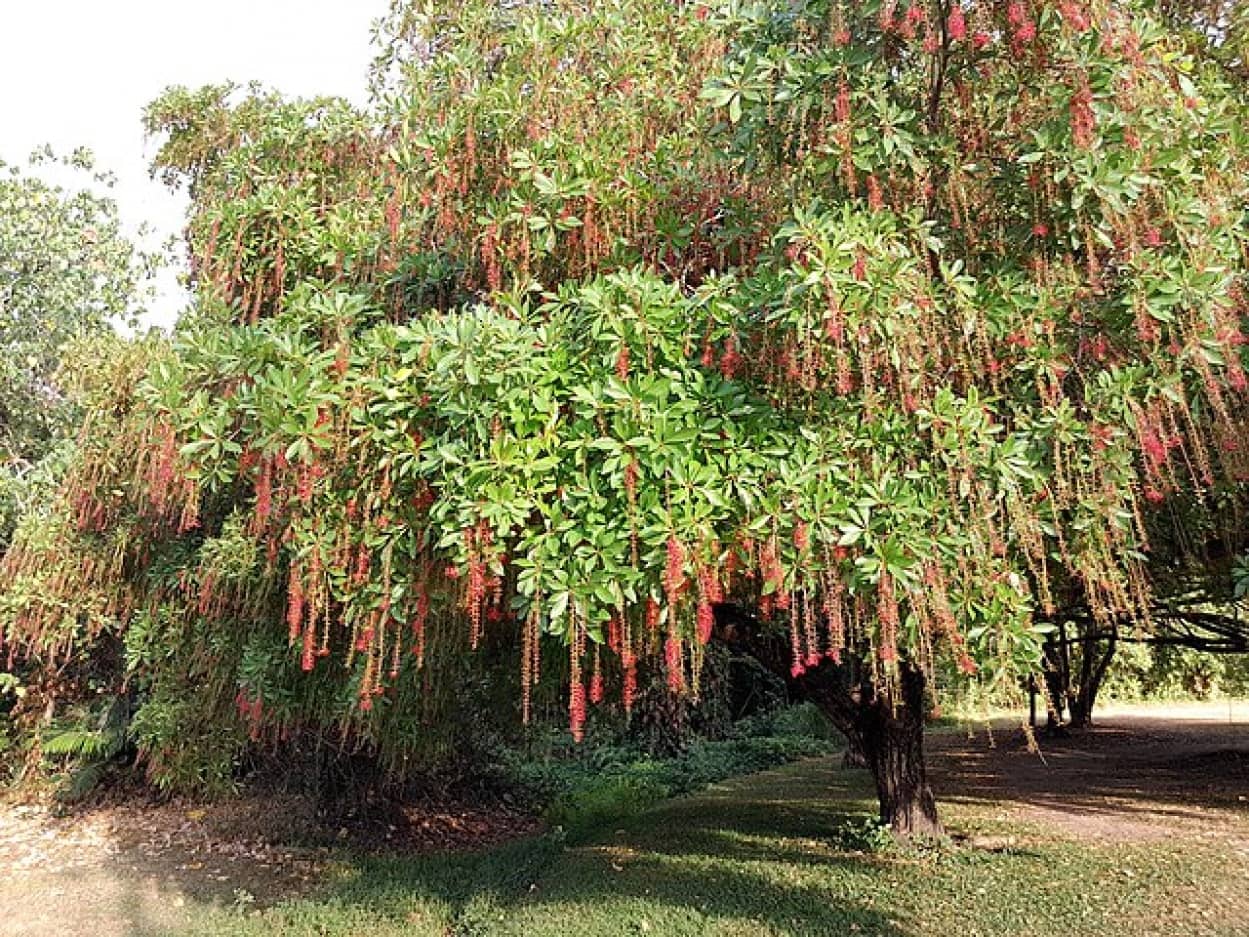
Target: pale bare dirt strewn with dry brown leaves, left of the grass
(131, 871)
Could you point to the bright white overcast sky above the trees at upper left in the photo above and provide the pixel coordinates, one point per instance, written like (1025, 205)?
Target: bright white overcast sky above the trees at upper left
(79, 73)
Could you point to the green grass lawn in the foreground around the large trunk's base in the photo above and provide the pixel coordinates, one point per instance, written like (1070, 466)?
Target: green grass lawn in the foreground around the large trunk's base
(759, 856)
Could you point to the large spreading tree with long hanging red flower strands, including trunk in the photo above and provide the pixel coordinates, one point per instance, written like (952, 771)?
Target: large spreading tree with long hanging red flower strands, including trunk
(864, 337)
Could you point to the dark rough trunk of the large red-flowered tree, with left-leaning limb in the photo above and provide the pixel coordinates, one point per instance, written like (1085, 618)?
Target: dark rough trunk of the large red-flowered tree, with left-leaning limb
(886, 728)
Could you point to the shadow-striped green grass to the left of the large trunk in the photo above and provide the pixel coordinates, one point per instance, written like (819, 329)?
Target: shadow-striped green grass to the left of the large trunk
(734, 860)
